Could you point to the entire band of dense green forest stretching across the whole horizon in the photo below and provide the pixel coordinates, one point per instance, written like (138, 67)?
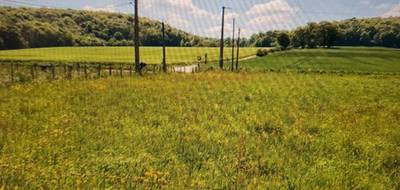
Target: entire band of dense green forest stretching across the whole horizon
(32, 27)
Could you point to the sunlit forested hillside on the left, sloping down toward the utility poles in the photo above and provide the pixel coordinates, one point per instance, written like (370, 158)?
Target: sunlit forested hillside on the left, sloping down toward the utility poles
(32, 28)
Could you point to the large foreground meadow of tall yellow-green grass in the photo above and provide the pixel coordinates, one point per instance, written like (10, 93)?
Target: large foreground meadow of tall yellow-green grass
(214, 130)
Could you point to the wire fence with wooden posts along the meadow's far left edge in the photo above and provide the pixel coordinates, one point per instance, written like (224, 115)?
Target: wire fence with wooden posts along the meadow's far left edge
(28, 72)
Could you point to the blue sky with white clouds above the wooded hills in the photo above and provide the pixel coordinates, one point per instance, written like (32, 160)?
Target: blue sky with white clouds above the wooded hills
(203, 17)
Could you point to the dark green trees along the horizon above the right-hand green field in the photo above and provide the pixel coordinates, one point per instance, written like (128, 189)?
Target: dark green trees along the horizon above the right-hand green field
(352, 32)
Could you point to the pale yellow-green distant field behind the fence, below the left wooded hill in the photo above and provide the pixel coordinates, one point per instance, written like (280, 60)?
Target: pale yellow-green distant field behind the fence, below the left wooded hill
(150, 55)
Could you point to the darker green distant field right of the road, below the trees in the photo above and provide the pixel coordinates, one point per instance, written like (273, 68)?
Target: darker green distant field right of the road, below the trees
(355, 59)
